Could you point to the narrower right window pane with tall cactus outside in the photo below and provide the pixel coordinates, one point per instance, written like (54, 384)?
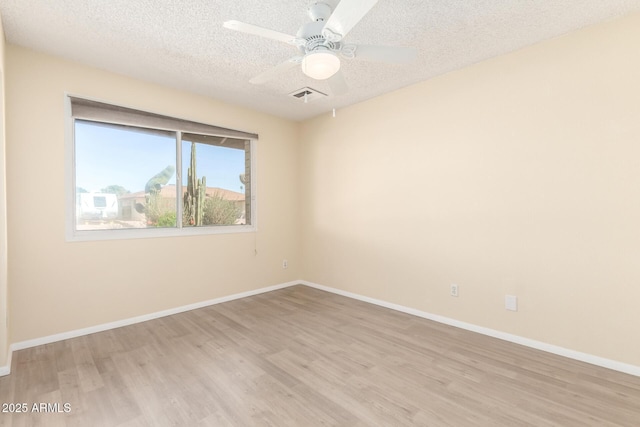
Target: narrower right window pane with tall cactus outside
(215, 181)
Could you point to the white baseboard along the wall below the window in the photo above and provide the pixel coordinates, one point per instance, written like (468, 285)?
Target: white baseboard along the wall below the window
(6, 370)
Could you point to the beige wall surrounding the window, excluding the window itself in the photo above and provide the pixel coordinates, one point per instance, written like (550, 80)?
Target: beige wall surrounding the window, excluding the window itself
(58, 286)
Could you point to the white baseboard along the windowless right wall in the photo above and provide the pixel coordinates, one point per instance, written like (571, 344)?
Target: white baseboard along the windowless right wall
(538, 345)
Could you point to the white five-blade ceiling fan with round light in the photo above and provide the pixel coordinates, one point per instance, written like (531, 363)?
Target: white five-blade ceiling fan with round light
(321, 41)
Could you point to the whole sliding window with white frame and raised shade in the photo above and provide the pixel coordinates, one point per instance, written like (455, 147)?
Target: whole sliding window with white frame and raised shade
(138, 174)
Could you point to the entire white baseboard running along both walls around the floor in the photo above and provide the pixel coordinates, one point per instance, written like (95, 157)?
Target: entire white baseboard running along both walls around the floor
(549, 348)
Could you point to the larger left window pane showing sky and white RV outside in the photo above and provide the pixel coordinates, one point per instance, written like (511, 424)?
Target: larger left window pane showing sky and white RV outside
(125, 177)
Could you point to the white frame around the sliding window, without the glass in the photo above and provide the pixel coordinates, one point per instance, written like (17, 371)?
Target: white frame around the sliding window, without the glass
(74, 235)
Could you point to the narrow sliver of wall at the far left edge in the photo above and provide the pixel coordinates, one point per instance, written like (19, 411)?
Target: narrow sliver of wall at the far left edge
(4, 332)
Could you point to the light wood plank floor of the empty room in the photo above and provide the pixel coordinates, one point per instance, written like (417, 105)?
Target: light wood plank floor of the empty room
(303, 357)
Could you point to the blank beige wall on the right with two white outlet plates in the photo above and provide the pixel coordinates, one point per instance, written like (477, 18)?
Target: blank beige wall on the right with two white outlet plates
(519, 175)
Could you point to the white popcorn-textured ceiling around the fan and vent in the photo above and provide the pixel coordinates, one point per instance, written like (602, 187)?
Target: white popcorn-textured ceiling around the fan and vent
(183, 44)
